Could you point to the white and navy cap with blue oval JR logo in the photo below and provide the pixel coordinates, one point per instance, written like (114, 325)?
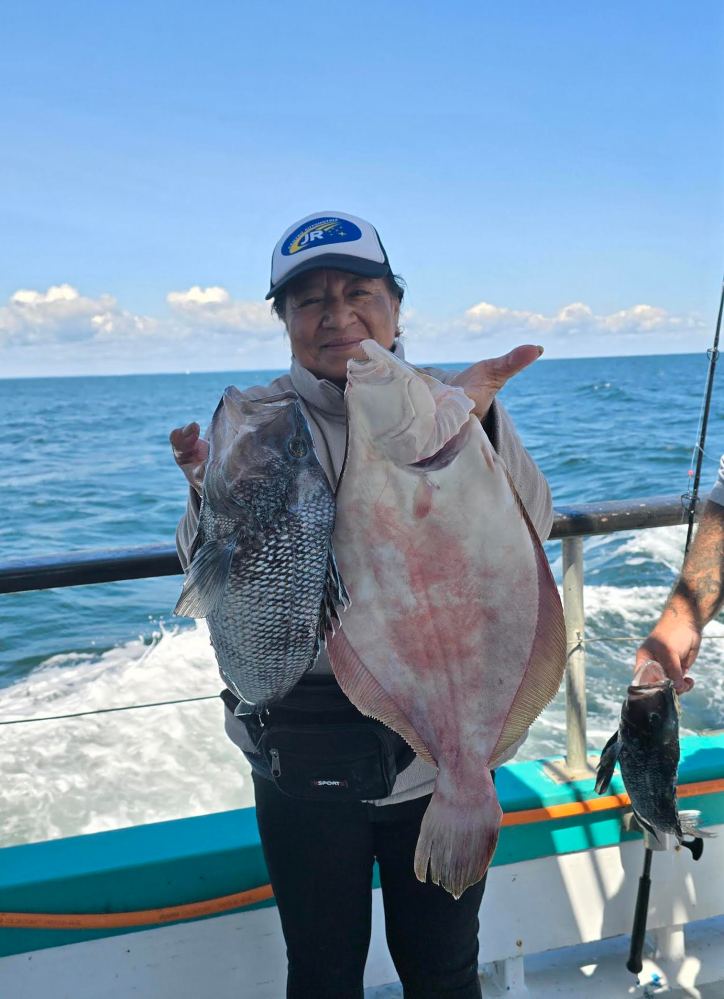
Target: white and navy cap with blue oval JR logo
(328, 239)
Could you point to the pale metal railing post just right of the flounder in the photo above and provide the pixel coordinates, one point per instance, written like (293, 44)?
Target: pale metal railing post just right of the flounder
(576, 658)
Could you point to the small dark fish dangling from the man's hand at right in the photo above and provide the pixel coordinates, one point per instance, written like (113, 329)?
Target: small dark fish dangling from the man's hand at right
(647, 749)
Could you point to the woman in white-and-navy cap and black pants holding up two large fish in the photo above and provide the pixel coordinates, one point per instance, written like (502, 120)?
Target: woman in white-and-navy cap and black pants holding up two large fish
(332, 286)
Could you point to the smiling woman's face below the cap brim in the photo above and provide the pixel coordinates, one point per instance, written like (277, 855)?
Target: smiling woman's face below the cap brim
(329, 312)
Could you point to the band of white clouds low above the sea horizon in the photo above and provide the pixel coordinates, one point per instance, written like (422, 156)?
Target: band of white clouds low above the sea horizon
(206, 328)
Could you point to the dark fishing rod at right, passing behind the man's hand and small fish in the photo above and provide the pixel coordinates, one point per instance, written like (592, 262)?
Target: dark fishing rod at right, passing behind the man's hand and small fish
(690, 500)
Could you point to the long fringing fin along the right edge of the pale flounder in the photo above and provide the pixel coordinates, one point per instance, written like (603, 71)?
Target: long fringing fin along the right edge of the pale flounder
(547, 660)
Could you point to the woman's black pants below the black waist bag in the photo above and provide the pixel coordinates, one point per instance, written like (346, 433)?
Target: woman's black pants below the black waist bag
(320, 857)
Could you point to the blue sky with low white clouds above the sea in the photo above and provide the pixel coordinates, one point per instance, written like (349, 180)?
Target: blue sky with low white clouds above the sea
(539, 171)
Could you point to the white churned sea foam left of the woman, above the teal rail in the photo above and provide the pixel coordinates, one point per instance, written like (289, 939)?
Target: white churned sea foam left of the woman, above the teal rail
(104, 771)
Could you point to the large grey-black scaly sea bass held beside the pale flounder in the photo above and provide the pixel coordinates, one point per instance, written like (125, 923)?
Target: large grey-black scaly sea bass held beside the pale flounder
(263, 572)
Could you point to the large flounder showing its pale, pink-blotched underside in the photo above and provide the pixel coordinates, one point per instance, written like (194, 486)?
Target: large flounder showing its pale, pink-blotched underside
(454, 636)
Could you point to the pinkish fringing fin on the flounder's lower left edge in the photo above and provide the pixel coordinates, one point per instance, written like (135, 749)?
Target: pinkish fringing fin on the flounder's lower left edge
(368, 695)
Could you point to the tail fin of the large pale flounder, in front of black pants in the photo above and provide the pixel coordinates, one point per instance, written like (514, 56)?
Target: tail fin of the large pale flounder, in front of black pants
(458, 835)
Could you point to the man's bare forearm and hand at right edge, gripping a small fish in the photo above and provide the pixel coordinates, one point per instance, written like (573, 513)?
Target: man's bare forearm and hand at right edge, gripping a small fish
(695, 599)
